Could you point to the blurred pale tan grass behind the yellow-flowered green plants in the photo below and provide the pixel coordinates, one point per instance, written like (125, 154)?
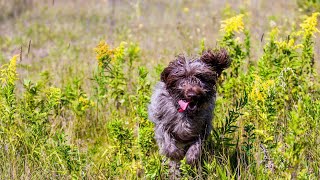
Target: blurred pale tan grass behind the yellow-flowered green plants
(55, 35)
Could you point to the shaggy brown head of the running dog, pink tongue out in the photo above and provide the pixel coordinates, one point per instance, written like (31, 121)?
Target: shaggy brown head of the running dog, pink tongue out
(192, 82)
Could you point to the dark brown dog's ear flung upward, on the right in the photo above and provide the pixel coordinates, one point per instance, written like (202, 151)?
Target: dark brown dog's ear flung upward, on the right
(219, 60)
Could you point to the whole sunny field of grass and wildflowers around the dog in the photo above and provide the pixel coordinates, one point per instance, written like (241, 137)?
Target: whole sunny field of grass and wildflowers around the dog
(76, 78)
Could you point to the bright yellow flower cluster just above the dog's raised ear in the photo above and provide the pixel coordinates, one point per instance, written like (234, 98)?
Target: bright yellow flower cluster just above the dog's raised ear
(232, 25)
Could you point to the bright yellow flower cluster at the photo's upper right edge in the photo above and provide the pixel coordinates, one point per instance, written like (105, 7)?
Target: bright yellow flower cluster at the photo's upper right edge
(309, 26)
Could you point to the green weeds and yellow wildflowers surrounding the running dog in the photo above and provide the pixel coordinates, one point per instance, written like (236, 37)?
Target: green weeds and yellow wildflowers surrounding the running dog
(95, 125)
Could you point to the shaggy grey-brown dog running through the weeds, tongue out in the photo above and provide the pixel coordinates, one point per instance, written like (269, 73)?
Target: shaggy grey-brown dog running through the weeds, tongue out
(182, 104)
